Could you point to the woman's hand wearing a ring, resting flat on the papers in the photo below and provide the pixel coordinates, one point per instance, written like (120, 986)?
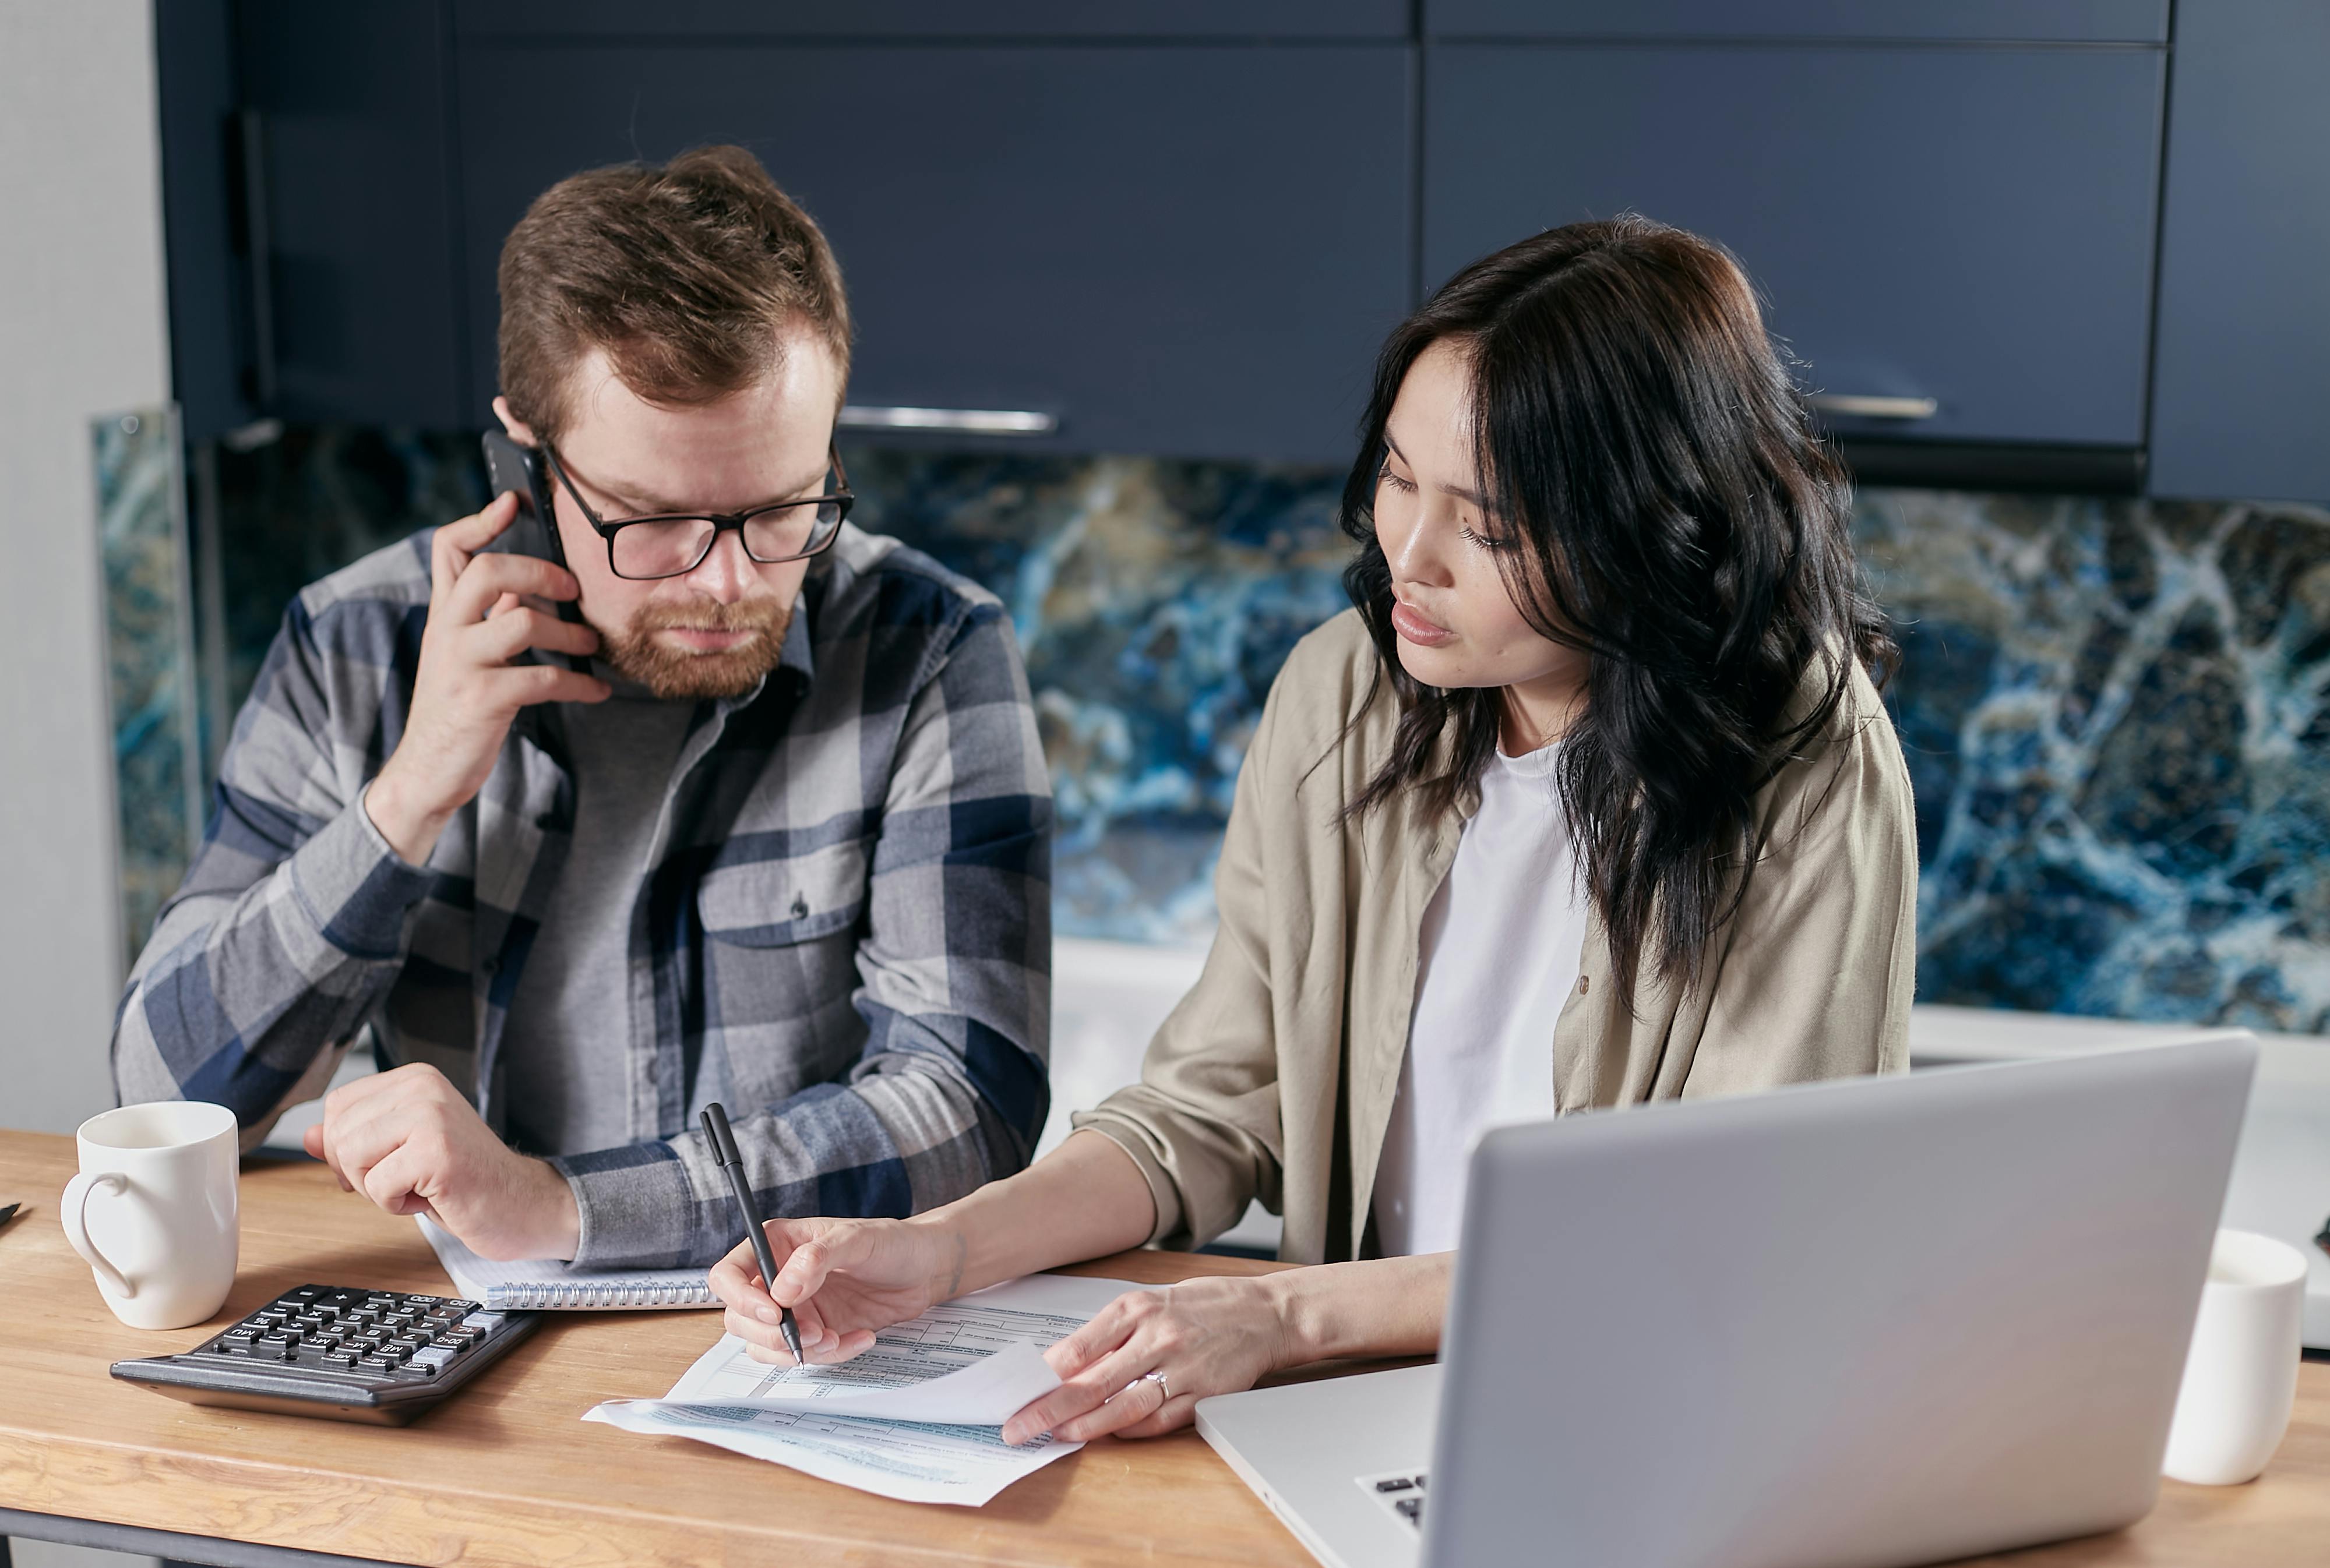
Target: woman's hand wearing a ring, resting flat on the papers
(1206, 1336)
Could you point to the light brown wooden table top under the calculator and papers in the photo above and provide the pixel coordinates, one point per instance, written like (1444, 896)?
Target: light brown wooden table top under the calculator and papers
(507, 1471)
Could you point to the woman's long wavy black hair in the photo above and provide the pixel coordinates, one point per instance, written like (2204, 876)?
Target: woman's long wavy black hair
(1679, 521)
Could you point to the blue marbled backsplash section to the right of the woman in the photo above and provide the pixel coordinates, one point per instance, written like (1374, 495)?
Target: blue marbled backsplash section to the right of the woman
(2117, 730)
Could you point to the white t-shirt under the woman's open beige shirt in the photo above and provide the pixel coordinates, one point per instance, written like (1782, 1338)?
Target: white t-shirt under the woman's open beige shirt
(1495, 963)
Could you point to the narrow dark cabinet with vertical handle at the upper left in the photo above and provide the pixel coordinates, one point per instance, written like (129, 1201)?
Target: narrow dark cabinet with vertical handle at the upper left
(309, 213)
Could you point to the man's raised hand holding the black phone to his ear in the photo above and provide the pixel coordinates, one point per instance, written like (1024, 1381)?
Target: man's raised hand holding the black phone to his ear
(467, 688)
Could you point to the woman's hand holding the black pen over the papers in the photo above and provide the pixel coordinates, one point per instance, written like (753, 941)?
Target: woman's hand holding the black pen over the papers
(842, 1278)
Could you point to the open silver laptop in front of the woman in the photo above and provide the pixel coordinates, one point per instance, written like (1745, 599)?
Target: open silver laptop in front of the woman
(1867, 1322)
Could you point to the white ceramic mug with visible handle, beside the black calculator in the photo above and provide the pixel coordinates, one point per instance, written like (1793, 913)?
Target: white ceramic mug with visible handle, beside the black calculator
(155, 1210)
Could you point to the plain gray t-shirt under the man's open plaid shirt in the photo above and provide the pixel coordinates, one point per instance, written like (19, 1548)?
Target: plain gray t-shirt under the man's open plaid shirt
(565, 1047)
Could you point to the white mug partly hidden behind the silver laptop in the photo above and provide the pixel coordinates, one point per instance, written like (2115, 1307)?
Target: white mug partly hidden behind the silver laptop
(2243, 1369)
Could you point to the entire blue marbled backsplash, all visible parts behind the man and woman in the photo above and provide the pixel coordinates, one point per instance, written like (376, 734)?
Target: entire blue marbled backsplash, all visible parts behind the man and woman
(2114, 709)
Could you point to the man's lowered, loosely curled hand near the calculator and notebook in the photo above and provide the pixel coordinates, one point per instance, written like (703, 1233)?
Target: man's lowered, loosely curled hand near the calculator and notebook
(414, 1145)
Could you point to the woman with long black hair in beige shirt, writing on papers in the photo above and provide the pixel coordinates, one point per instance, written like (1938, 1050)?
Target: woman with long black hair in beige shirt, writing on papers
(1588, 803)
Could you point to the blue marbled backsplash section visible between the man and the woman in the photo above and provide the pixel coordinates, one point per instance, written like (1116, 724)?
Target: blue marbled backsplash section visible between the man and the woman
(1155, 602)
